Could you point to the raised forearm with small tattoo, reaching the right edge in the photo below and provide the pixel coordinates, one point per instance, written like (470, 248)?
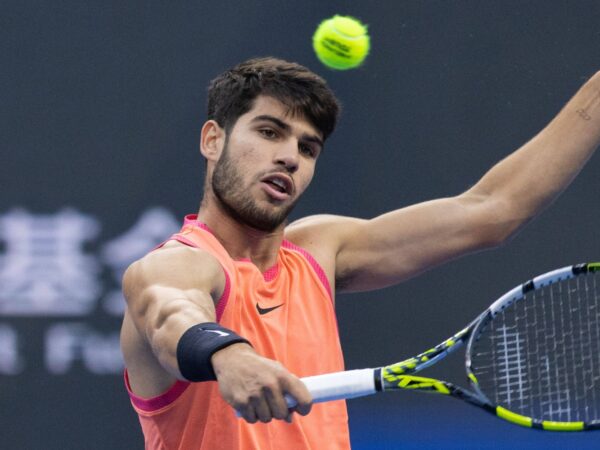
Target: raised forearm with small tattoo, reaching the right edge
(532, 177)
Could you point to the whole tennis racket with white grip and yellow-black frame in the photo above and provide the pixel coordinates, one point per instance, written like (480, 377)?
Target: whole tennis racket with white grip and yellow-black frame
(532, 358)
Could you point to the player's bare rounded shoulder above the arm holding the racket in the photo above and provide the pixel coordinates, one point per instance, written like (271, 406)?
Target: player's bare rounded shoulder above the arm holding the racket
(176, 266)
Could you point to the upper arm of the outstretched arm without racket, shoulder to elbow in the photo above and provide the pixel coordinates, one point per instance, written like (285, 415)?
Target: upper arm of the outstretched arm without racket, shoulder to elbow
(371, 254)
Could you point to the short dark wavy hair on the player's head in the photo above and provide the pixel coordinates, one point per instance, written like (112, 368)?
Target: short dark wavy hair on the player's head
(232, 93)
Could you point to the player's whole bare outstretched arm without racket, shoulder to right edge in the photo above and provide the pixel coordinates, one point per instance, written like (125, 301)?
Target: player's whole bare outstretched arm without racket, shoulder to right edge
(398, 245)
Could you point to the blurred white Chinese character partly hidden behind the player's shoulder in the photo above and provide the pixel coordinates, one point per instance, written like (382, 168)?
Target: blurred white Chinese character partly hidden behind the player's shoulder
(152, 228)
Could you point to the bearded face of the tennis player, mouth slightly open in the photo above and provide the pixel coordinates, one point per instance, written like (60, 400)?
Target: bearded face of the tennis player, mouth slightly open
(267, 163)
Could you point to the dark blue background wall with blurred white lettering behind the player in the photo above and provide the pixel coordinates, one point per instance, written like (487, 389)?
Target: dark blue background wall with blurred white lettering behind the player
(101, 104)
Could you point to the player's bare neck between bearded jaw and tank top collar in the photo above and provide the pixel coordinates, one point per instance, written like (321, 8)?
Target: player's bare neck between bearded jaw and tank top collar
(240, 240)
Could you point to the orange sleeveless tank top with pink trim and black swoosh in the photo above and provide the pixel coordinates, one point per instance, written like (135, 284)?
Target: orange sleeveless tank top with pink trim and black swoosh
(287, 314)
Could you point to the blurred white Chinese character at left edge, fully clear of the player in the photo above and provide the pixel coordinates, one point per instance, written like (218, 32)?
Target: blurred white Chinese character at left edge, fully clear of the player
(44, 267)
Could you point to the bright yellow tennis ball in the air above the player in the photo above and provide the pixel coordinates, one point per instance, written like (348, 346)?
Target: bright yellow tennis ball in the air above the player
(341, 42)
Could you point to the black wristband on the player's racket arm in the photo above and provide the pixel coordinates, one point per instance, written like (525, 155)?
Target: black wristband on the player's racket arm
(197, 345)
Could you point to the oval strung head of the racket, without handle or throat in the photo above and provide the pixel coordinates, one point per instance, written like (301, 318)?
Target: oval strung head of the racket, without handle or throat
(535, 353)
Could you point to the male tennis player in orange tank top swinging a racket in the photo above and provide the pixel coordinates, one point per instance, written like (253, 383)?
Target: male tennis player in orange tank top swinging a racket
(232, 310)
